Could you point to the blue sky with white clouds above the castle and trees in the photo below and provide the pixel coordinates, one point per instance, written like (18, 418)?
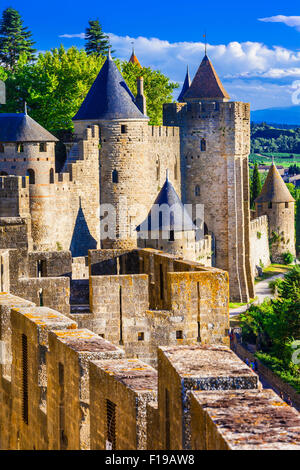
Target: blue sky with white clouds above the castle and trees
(255, 46)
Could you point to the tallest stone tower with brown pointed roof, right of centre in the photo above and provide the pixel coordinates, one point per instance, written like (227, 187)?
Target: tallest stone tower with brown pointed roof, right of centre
(215, 144)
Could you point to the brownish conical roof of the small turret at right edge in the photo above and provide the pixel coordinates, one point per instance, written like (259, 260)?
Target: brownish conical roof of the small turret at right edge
(274, 189)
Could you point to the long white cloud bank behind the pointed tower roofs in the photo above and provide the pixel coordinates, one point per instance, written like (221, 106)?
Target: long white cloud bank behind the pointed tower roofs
(250, 71)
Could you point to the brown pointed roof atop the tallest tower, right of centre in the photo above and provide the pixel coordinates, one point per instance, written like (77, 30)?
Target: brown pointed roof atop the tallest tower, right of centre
(206, 84)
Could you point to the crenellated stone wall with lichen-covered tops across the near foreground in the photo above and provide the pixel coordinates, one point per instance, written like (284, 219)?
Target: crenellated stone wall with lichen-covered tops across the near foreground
(66, 388)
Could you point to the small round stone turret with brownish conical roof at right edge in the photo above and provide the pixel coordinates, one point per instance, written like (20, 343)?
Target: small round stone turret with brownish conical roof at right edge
(276, 202)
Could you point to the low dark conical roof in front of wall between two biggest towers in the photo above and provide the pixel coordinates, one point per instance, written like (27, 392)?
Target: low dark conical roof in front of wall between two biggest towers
(179, 220)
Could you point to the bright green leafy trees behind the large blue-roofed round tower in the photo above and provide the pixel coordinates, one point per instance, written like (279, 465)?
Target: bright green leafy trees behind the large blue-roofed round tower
(56, 84)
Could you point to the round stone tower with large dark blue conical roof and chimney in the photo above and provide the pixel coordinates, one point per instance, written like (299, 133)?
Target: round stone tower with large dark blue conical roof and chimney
(124, 160)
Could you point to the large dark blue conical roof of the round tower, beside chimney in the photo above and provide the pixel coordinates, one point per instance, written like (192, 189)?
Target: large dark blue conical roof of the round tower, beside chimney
(109, 97)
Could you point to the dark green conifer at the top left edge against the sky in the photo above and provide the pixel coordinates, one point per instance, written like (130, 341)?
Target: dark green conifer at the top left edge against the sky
(15, 39)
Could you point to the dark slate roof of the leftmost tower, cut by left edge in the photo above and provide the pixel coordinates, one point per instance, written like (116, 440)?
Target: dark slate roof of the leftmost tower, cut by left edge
(22, 128)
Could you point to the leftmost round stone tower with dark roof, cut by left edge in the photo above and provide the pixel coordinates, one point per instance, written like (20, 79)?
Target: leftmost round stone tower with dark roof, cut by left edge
(27, 149)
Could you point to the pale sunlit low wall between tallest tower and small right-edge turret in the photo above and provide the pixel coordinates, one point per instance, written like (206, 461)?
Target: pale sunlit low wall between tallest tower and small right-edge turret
(259, 243)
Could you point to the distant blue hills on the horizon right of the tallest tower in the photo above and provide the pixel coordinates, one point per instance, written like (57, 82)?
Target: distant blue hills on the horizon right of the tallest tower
(289, 115)
